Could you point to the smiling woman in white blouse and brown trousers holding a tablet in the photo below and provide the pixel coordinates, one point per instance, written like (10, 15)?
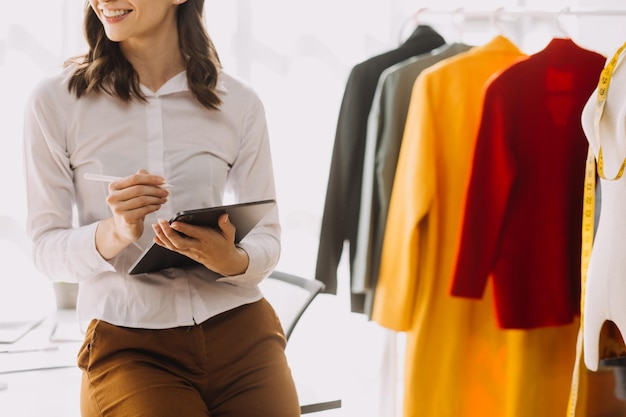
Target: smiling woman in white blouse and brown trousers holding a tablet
(149, 102)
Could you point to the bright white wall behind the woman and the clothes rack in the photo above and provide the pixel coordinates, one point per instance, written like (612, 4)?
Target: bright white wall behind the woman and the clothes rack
(297, 55)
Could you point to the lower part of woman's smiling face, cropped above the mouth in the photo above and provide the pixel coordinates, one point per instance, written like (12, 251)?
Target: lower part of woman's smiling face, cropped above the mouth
(136, 19)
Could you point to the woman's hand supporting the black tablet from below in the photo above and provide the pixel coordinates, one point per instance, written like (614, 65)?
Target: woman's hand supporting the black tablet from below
(213, 248)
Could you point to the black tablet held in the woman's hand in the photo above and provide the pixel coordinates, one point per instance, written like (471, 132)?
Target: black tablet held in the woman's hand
(245, 216)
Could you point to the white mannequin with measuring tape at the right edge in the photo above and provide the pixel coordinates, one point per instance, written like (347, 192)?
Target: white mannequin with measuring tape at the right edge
(605, 287)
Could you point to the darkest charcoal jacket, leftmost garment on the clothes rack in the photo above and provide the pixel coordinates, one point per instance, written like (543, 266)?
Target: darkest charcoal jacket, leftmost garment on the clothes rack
(343, 195)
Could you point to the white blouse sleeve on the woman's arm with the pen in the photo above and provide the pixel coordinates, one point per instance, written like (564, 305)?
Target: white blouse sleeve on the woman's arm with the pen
(60, 251)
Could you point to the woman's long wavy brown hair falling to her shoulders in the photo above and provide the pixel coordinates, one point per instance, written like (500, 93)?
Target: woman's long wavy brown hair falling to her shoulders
(105, 69)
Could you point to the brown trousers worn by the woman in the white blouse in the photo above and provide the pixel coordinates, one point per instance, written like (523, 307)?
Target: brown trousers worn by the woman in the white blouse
(232, 365)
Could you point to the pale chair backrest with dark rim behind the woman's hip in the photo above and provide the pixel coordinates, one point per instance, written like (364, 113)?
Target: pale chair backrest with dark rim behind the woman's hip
(290, 295)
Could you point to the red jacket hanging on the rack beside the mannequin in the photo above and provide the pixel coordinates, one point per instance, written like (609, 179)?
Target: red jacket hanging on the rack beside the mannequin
(522, 218)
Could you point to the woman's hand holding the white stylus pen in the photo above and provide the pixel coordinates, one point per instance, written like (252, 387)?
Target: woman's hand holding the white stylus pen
(130, 200)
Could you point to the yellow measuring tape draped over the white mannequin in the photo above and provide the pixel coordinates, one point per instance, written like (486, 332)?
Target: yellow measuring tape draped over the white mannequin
(588, 220)
